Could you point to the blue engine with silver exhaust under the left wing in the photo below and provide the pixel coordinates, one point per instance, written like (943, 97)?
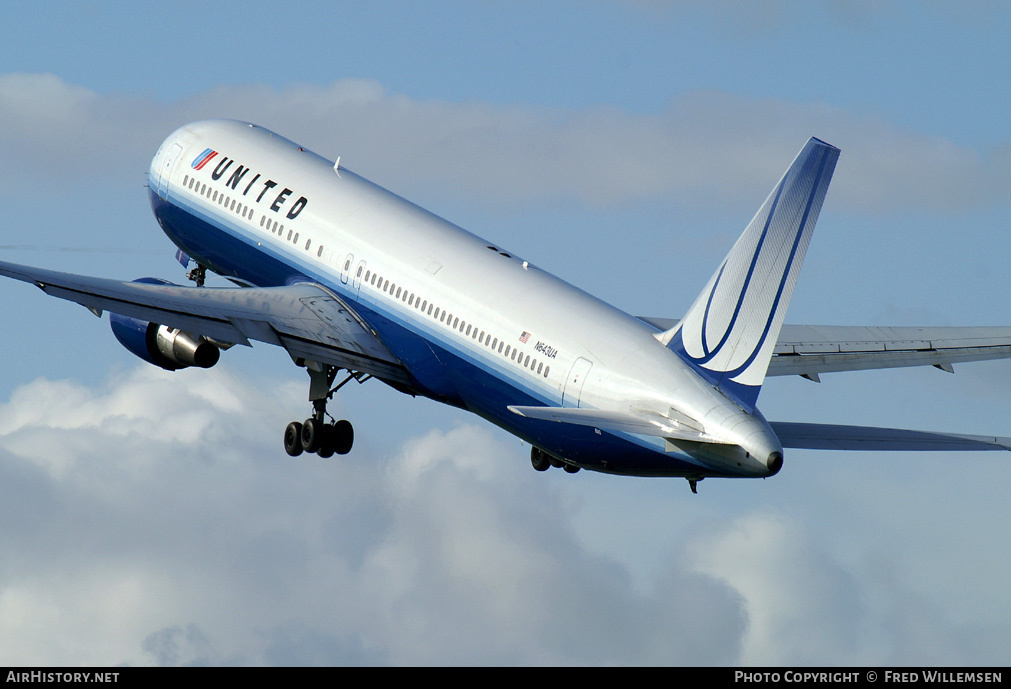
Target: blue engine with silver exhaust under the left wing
(162, 346)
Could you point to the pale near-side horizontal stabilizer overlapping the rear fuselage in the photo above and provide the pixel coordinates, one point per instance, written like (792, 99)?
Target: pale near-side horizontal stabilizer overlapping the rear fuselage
(641, 423)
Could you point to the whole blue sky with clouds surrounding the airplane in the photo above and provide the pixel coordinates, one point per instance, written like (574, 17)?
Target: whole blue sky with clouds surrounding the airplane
(153, 519)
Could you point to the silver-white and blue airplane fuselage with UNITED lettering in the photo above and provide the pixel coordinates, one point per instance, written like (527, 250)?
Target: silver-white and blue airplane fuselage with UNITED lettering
(477, 326)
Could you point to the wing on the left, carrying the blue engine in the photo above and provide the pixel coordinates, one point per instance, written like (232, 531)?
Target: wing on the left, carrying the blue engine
(307, 320)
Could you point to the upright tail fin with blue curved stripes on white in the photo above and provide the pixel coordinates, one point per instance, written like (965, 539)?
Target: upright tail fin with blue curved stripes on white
(730, 332)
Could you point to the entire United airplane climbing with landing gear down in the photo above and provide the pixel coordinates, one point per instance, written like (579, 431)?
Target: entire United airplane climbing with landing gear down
(354, 283)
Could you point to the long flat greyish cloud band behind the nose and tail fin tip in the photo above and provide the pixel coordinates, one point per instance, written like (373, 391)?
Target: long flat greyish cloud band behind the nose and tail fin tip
(705, 148)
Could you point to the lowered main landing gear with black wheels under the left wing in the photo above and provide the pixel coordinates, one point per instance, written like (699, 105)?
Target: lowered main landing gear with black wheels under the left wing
(315, 435)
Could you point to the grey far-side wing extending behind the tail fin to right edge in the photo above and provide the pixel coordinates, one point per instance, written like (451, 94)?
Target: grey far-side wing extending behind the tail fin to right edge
(811, 350)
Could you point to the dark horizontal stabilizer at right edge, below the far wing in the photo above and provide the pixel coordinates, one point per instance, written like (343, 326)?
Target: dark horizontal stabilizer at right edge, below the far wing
(831, 437)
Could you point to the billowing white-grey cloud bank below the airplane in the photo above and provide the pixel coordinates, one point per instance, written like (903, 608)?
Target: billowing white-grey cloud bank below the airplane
(155, 521)
